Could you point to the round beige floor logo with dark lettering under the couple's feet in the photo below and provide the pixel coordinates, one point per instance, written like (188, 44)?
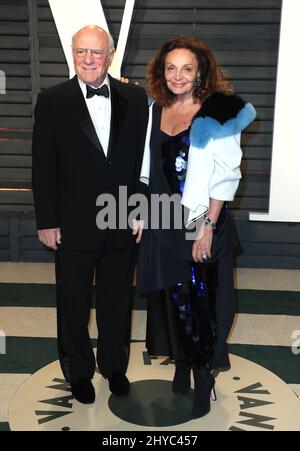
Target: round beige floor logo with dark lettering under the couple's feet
(249, 397)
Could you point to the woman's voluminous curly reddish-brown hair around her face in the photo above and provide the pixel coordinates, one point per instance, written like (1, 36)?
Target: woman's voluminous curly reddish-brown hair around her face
(212, 75)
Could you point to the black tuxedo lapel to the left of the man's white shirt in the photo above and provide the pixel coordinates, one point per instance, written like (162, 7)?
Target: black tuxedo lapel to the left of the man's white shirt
(80, 110)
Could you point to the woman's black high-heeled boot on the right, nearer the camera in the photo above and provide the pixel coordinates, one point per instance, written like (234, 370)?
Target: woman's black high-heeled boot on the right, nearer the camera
(204, 383)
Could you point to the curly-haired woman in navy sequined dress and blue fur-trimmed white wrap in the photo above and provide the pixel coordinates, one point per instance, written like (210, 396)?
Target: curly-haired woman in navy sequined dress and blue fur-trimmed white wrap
(193, 150)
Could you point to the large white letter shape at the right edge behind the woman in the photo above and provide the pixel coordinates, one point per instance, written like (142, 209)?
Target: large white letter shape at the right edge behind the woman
(284, 203)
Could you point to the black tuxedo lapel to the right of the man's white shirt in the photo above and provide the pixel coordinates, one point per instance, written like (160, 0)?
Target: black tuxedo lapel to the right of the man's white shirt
(118, 111)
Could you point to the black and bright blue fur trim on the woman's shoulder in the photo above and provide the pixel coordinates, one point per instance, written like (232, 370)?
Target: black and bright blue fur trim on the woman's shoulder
(221, 116)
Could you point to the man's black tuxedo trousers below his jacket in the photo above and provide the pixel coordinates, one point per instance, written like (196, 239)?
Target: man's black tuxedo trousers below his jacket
(75, 270)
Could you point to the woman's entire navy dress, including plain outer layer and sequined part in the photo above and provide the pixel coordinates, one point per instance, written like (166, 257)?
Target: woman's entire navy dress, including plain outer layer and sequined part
(182, 311)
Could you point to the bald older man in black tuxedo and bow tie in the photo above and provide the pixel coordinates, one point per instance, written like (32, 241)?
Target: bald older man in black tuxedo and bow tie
(89, 141)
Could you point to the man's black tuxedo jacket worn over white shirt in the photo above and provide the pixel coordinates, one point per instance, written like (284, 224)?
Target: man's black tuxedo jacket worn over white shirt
(70, 169)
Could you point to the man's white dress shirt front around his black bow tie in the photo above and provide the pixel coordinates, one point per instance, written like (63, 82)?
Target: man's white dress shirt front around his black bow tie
(100, 111)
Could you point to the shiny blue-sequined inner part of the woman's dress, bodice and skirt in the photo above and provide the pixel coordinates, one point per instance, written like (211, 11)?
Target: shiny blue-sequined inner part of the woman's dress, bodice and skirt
(193, 312)
